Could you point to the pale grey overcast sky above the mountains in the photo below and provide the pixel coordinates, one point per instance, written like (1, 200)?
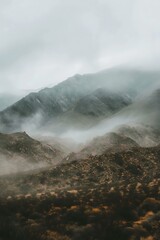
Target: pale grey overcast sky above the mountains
(42, 42)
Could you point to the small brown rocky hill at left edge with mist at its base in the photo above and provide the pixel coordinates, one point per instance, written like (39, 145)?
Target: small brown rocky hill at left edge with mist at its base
(20, 152)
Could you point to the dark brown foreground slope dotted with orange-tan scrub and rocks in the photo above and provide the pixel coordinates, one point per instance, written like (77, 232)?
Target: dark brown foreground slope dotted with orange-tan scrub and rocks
(113, 196)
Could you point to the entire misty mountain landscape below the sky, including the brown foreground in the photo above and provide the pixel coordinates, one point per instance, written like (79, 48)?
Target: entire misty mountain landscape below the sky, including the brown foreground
(80, 160)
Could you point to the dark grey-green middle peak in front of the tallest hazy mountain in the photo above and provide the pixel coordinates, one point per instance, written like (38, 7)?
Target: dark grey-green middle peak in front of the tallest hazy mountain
(88, 111)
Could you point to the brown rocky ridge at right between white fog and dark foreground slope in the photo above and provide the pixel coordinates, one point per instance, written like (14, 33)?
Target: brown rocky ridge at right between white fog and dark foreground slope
(123, 137)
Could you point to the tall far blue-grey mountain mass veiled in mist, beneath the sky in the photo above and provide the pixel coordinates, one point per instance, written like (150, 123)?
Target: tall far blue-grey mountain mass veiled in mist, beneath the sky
(80, 101)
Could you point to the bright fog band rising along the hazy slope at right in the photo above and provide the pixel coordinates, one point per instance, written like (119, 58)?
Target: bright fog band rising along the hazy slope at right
(143, 112)
